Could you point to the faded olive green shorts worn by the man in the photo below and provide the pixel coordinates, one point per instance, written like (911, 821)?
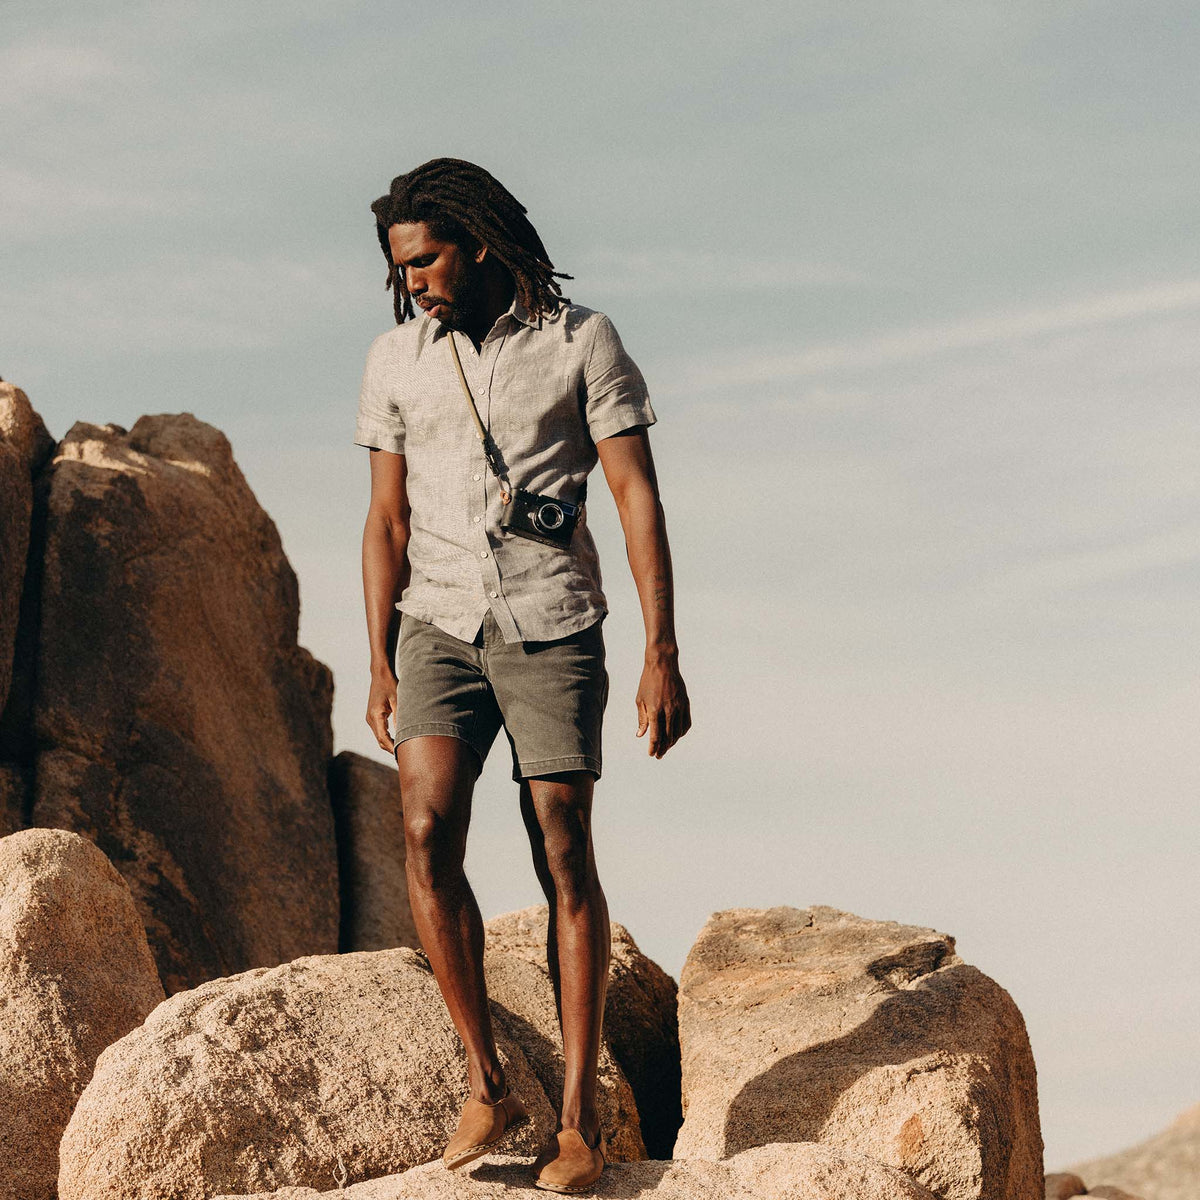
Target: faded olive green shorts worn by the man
(549, 697)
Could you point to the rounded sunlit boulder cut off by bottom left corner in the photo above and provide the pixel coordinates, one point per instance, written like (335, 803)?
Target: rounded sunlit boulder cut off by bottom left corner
(76, 975)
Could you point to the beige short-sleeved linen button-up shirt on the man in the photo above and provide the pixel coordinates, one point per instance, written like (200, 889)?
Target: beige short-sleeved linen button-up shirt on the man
(548, 389)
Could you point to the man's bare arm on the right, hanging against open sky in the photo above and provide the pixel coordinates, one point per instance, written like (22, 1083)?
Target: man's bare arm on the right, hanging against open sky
(663, 706)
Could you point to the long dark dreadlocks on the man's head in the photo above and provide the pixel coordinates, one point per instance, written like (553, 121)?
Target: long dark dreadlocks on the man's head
(463, 203)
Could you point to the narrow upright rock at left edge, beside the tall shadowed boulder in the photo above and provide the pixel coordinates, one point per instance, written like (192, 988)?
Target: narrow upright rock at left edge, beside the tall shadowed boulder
(25, 447)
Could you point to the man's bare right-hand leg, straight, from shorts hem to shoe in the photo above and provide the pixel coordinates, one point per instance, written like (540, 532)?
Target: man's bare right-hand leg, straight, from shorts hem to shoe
(557, 812)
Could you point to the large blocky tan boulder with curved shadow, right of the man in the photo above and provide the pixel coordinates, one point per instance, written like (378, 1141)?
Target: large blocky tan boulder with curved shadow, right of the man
(815, 1025)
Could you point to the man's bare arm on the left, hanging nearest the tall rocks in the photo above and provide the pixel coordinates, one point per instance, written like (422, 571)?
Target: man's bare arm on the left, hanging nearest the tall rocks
(385, 577)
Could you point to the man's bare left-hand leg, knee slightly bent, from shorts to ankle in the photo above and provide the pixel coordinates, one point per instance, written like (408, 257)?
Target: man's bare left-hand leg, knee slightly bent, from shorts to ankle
(437, 778)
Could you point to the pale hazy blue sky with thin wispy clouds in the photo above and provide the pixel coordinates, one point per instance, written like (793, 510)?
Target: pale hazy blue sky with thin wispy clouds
(916, 289)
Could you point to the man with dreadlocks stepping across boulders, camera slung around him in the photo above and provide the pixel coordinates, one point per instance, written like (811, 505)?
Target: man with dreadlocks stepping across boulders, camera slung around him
(501, 391)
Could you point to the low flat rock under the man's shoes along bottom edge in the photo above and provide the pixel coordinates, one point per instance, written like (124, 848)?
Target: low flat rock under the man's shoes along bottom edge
(767, 1173)
